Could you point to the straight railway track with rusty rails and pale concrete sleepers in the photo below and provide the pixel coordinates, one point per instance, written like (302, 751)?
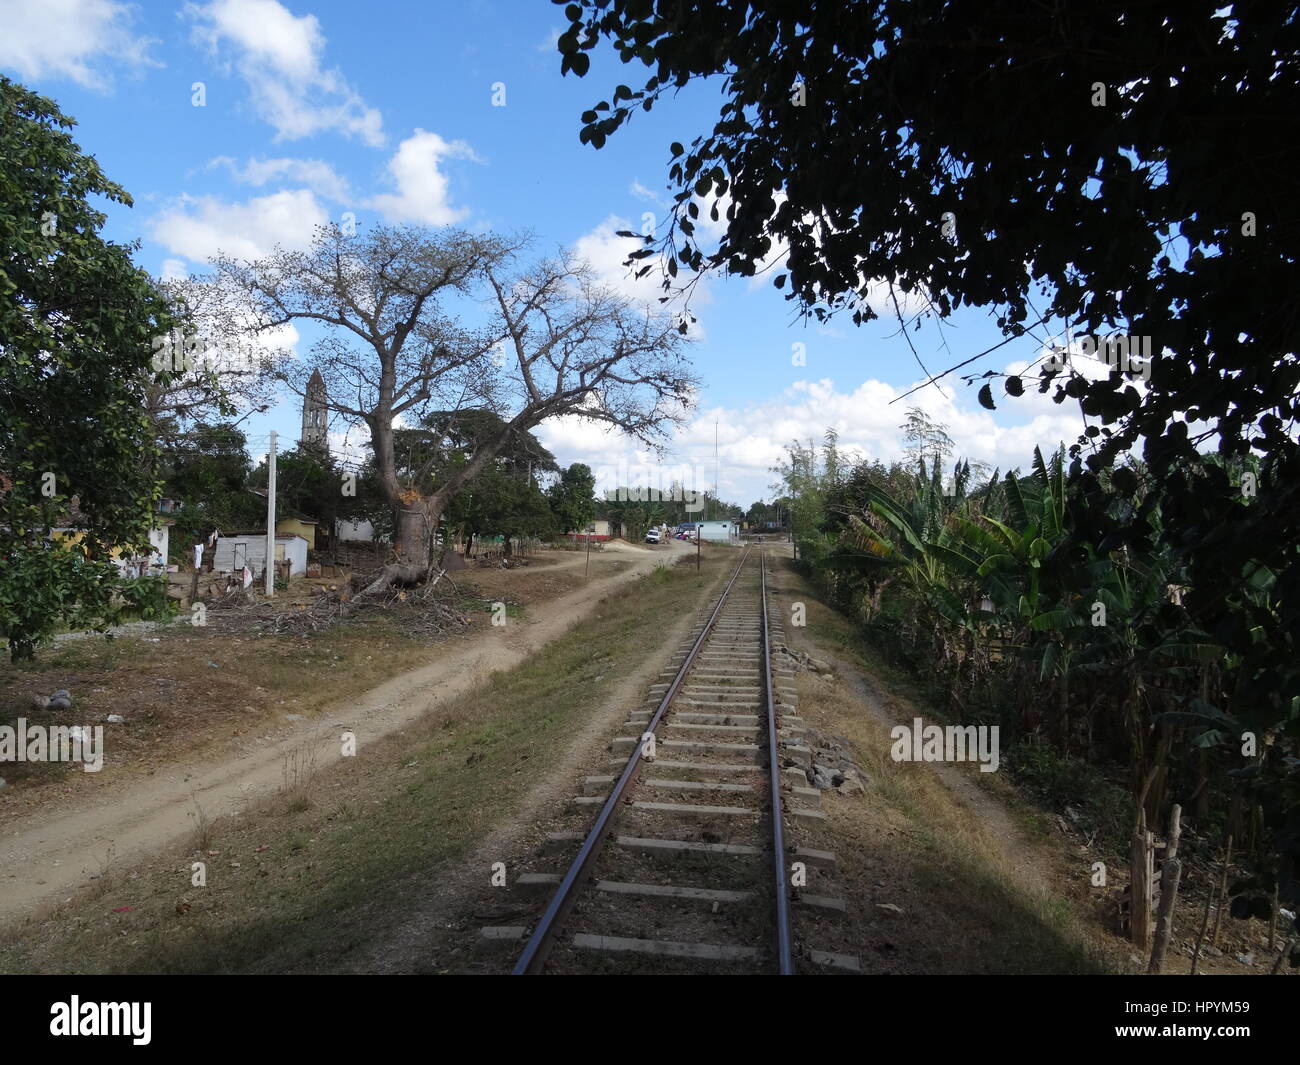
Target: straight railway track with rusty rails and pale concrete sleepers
(690, 860)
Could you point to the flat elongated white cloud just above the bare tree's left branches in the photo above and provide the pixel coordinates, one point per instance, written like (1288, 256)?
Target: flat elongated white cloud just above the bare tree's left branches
(205, 226)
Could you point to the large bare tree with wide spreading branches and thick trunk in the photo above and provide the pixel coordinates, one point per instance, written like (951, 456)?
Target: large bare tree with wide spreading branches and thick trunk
(393, 304)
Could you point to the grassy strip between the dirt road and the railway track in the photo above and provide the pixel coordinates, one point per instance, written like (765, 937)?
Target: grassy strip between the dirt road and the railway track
(311, 878)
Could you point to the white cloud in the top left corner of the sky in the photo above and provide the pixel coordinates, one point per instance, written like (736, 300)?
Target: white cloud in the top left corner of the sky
(71, 38)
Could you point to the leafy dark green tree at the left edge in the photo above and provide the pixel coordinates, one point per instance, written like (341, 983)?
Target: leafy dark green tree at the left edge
(77, 321)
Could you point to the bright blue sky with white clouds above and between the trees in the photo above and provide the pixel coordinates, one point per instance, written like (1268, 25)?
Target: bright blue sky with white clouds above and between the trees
(317, 109)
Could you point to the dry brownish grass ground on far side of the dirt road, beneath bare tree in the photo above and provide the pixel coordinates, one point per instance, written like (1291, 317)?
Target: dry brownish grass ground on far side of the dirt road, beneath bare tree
(193, 692)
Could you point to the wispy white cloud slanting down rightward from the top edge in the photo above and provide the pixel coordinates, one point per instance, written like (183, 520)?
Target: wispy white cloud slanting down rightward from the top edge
(280, 58)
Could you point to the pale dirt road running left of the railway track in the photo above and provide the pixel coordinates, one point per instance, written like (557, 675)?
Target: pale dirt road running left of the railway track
(45, 858)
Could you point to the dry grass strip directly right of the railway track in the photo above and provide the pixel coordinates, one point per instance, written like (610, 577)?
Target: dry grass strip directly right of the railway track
(973, 890)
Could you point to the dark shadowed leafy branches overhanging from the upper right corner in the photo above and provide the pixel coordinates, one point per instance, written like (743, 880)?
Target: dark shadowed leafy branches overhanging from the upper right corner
(1125, 168)
